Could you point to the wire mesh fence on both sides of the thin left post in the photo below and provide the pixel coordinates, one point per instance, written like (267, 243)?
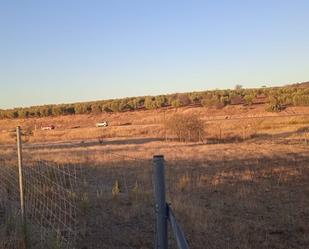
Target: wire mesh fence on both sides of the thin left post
(51, 194)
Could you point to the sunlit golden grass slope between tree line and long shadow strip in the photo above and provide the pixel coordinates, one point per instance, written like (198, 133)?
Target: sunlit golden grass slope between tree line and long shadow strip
(231, 122)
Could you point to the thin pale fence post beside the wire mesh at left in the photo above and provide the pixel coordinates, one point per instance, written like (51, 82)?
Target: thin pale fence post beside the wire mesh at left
(20, 173)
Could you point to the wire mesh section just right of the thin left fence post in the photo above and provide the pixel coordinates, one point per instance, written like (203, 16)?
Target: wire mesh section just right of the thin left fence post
(51, 198)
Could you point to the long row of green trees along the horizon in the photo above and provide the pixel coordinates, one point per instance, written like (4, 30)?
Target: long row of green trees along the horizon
(276, 99)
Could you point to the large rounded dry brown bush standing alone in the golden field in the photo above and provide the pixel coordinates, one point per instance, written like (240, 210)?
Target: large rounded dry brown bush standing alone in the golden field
(186, 127)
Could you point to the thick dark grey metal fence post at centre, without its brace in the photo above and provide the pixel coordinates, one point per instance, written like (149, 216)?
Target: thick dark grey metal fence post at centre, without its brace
(160, 203)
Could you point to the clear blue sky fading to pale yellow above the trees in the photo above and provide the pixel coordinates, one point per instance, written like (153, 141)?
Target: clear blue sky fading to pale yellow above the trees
(63, 51)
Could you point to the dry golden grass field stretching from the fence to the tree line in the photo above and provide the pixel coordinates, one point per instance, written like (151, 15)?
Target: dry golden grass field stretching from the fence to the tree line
(245, 186)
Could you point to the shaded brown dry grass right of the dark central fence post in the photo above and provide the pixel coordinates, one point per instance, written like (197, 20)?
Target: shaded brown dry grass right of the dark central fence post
(236, 203)
